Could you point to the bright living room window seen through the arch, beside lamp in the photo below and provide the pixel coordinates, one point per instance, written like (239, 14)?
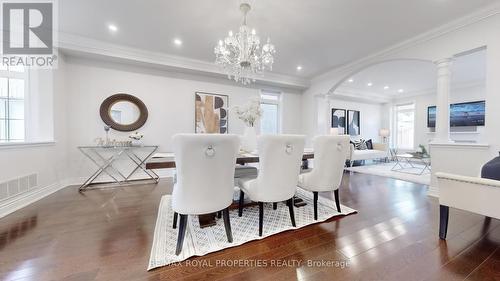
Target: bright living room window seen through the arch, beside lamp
(405, 126)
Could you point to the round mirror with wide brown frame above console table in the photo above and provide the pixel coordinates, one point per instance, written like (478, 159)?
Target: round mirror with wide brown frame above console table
(124, 112)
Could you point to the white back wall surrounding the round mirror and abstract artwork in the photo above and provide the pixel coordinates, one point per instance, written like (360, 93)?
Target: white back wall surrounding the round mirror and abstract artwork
(168, 97)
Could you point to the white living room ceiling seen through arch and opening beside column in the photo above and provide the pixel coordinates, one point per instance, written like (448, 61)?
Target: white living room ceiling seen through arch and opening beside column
(414, 77)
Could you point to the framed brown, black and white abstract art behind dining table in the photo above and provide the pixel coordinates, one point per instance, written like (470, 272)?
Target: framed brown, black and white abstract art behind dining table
(211, 113)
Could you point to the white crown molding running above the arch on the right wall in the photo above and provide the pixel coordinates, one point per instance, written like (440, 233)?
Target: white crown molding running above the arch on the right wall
(452, 26)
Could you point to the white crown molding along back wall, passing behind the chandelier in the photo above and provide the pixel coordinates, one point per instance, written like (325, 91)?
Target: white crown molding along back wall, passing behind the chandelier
(78, 44)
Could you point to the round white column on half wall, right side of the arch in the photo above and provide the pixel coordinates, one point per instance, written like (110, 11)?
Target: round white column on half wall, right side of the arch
(443, 100)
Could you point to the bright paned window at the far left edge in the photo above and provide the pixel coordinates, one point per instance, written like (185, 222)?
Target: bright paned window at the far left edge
(12, 104)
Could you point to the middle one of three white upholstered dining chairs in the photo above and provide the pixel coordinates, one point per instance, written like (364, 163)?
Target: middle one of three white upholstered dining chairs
(280, 157)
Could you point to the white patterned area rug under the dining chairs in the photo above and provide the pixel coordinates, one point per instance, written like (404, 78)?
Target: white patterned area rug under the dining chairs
(201, 241)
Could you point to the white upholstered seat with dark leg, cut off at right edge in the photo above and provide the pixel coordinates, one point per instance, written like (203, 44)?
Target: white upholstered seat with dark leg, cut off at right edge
(476, 195)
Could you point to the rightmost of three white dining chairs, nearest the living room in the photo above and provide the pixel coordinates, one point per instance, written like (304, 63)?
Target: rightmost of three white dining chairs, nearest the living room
(330, 154)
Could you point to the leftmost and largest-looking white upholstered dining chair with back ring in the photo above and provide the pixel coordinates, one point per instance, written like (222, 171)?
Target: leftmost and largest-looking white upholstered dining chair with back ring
(205, 178)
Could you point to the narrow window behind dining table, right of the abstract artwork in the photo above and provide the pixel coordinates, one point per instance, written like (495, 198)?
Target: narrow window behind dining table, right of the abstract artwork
(269, 104)
